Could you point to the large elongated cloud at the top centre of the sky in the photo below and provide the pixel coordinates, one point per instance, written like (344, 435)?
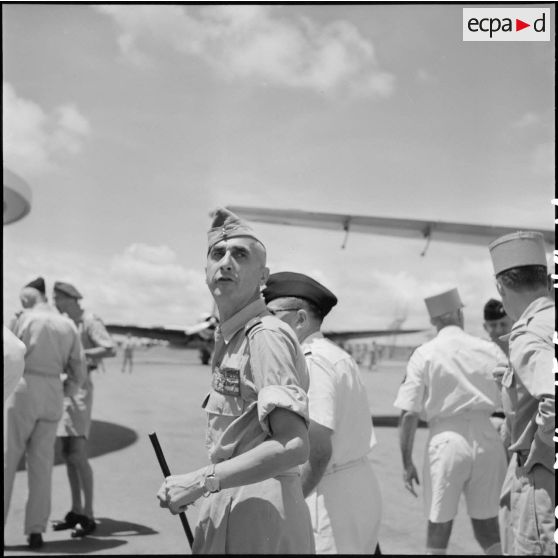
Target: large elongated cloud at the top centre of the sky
(253, 42)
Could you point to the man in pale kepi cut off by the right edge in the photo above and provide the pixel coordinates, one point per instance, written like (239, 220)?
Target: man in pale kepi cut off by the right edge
(519, 262)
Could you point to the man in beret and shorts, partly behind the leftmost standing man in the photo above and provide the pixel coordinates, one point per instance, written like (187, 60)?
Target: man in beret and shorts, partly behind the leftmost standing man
(76, 422)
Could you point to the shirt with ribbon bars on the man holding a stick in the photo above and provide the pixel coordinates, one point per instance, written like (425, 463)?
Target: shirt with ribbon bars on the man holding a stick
(257, 365)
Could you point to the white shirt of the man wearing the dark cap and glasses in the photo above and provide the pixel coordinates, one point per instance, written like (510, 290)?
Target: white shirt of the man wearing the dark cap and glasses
(338, 400)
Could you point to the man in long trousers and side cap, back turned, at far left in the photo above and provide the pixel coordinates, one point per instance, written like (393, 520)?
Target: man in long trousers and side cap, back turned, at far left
(53, 348)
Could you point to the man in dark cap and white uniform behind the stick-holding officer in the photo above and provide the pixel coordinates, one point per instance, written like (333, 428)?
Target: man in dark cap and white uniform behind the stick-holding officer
(338, 482)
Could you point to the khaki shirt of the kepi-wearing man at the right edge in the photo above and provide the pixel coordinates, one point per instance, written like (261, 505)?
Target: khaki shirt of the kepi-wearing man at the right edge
(528, 385)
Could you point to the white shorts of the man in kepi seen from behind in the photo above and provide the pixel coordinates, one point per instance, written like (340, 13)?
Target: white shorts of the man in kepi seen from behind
(465, 455)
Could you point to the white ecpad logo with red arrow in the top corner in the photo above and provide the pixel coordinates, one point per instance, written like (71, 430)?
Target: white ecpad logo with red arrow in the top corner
(506, 24)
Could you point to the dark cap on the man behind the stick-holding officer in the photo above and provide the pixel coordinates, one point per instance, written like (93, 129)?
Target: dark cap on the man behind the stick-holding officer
(288, 283)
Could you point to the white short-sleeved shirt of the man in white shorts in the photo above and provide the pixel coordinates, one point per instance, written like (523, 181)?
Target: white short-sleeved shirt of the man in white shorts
(449, 375)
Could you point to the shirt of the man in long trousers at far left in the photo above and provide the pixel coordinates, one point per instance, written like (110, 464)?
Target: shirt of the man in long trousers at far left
(53, 344)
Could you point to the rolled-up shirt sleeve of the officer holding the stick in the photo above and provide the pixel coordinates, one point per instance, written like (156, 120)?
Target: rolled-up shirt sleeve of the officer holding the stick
(274, 362)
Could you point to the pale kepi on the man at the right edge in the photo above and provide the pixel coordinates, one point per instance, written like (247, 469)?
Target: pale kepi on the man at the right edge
(517, 250)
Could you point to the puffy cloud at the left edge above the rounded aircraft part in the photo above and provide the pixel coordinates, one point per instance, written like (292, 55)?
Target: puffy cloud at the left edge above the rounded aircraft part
(35, 141)
